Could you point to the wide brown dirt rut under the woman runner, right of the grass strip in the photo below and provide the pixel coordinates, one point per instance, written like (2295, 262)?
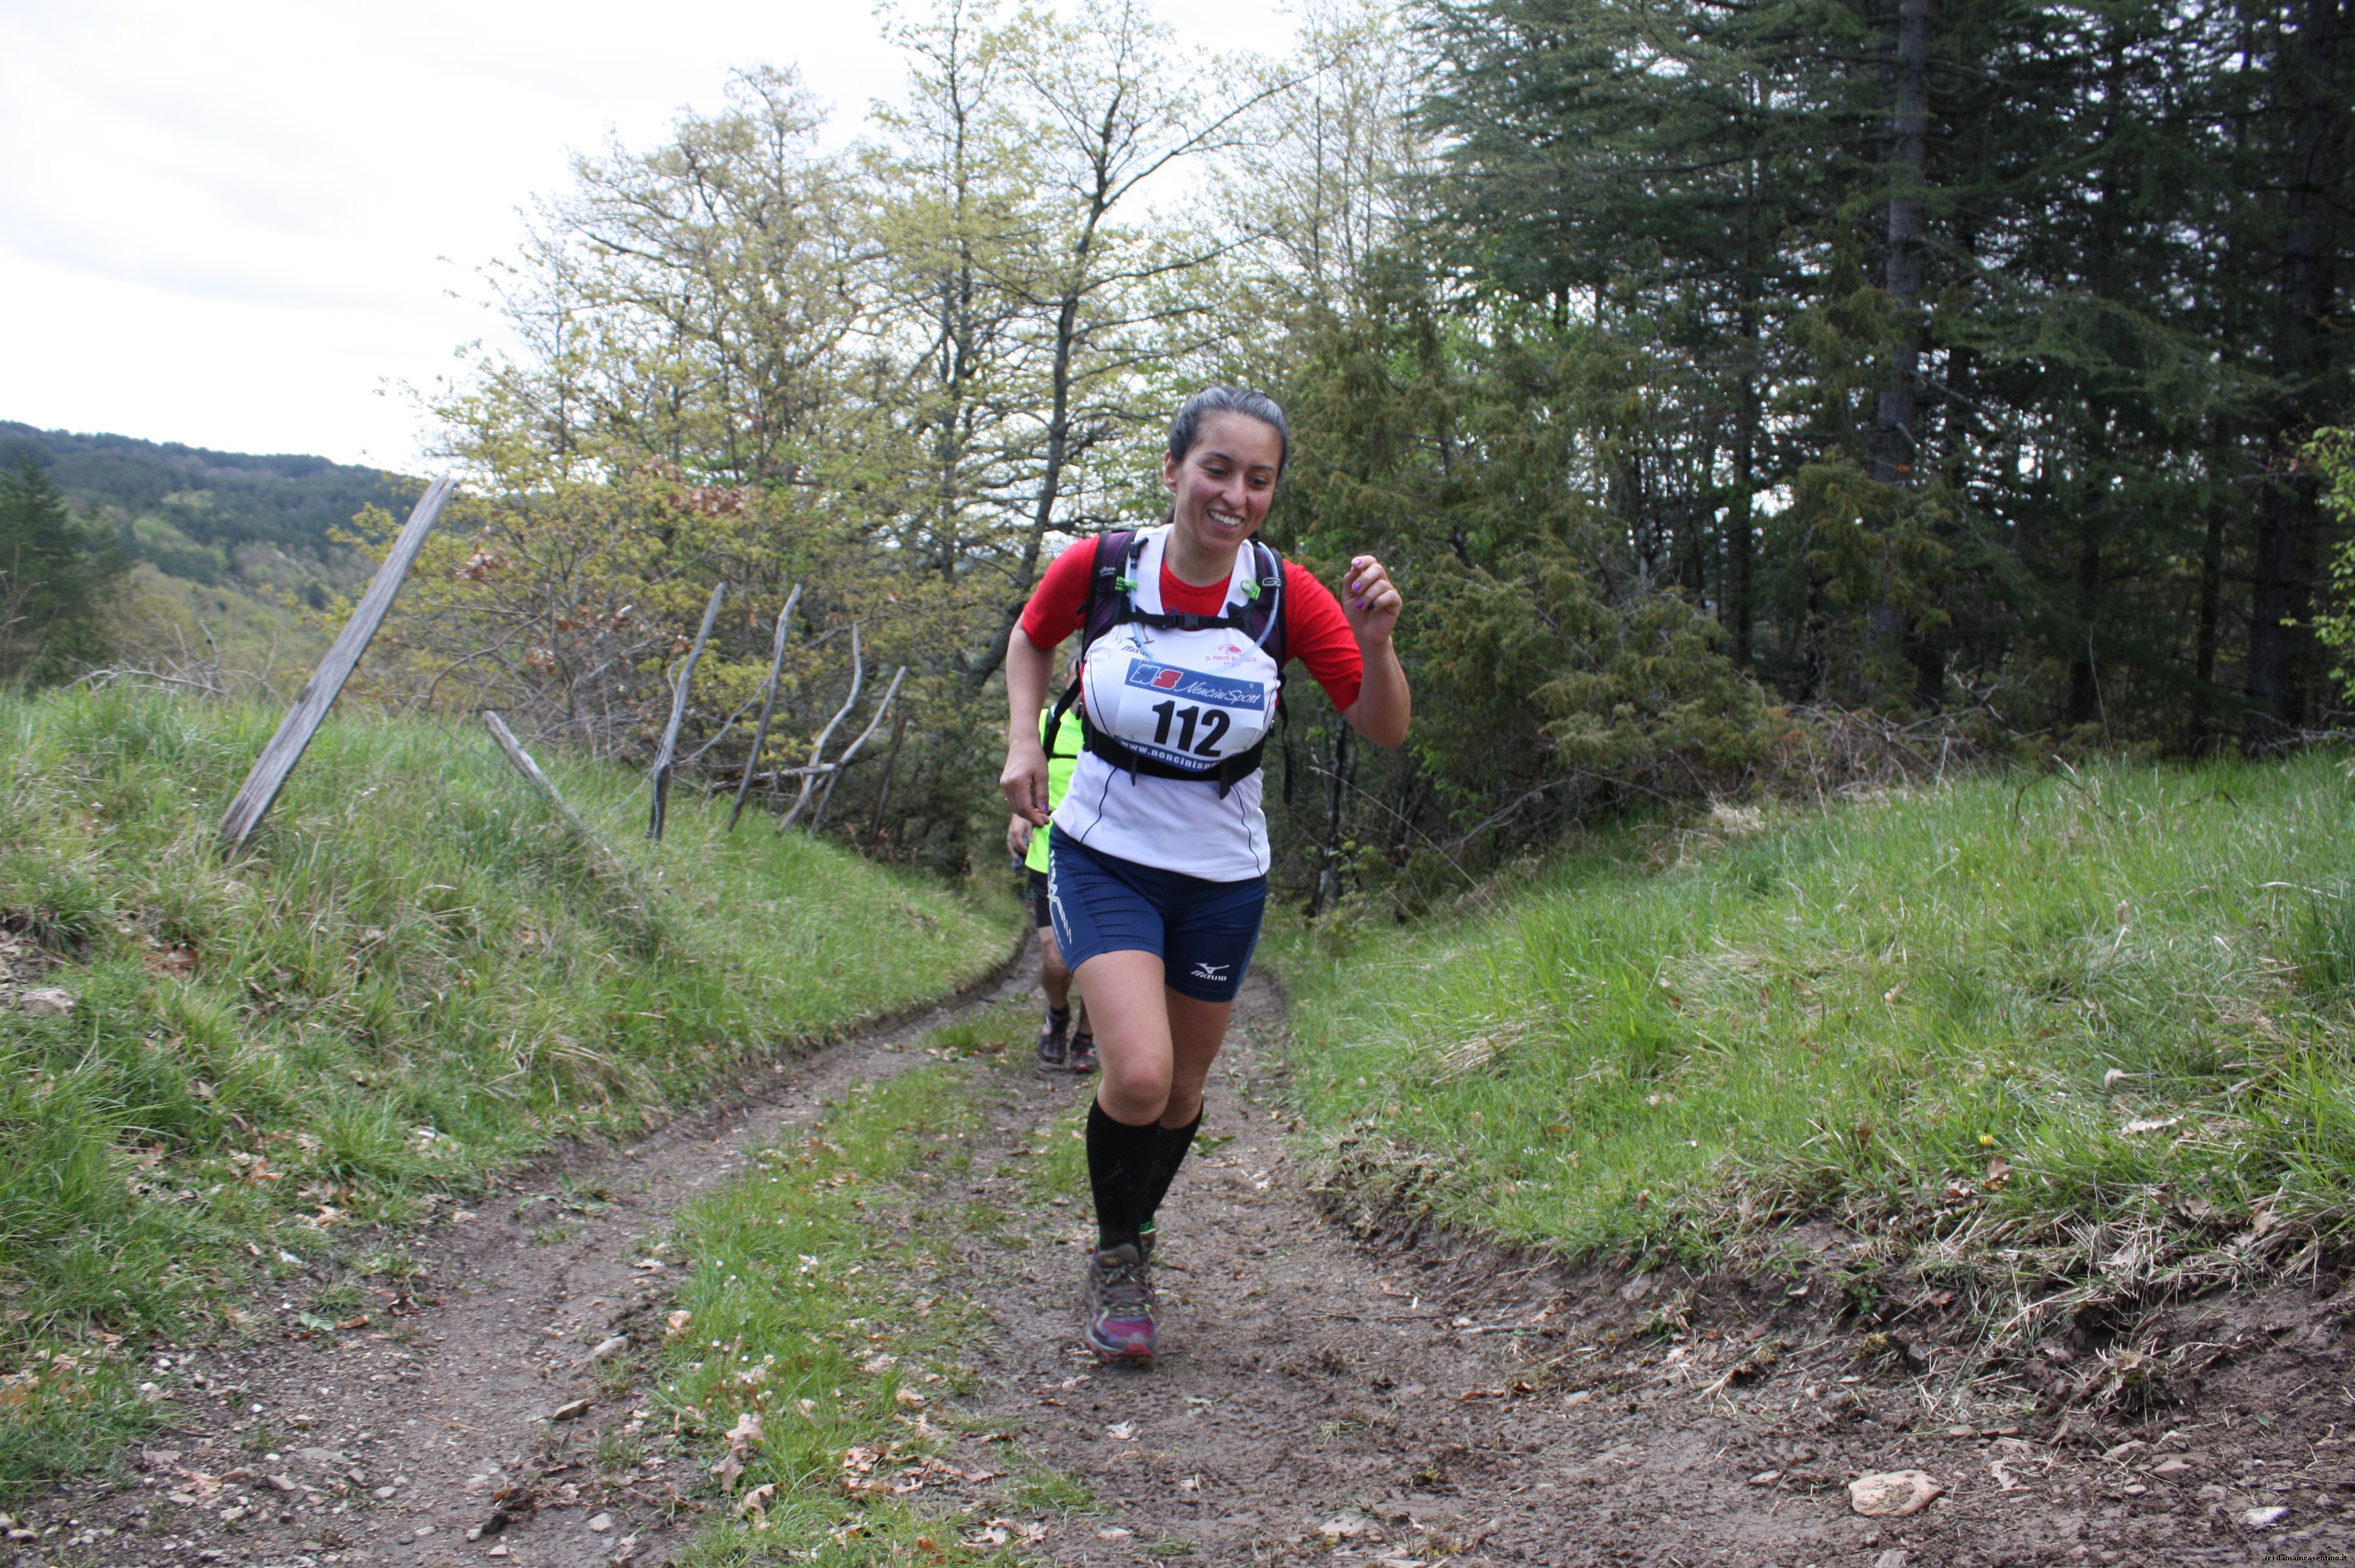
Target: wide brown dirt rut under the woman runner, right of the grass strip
(1320, 1402)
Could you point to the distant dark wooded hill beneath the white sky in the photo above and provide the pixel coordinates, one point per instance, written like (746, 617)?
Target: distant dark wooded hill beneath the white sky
(218, 519)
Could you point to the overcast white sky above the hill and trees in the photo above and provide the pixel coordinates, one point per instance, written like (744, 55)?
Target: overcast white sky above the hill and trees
(241, 222)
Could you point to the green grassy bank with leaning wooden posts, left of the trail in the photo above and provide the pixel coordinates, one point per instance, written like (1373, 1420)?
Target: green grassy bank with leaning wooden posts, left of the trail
(413, 978)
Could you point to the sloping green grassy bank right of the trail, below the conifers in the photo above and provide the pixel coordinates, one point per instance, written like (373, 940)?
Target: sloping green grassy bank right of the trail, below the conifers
(2050, 1037)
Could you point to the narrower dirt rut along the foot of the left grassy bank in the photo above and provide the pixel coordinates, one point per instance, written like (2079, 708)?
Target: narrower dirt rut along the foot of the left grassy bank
(399, 1442)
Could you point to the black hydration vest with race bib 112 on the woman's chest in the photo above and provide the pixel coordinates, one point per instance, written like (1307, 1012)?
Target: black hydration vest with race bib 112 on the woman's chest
(1198, 705)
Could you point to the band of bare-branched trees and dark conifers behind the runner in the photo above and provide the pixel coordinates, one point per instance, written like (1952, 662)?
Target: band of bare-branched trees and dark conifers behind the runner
(1690, 364)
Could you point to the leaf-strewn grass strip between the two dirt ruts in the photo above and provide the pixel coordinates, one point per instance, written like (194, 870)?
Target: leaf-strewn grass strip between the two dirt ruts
(823, 1315)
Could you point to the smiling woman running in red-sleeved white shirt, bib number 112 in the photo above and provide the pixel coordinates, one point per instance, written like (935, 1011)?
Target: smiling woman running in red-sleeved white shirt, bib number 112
(1160, 870)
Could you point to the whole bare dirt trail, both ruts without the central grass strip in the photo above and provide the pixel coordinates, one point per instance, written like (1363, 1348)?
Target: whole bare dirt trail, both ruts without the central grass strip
(1320, 1400)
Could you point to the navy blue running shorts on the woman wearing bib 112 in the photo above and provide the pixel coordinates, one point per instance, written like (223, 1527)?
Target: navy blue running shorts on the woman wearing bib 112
(1202, 931)
